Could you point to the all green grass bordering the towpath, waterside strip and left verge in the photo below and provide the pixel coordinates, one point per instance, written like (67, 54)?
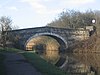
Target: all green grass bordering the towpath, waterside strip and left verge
(40, 64)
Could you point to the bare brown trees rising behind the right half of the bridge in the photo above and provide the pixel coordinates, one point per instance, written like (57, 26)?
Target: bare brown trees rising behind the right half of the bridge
(77, 19)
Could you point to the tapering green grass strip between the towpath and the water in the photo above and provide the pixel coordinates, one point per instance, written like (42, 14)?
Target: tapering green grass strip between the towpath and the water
(42, 66)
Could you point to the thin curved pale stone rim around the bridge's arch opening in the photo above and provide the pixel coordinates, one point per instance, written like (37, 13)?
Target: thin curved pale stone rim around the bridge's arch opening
(61, 40)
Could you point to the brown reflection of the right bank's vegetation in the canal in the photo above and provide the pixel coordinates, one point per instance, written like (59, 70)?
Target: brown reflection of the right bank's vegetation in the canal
(90, 59)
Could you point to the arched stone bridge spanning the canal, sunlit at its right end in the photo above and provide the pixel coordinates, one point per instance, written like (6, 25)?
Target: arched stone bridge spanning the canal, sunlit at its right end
(65, 37)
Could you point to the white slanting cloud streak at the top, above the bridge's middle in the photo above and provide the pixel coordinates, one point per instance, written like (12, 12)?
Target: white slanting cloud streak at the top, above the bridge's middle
(41, 8)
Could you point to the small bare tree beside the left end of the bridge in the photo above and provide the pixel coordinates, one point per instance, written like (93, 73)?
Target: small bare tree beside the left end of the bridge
(5, 23)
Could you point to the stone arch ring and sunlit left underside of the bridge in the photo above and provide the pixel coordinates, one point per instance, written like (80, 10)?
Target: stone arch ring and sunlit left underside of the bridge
(59, 39)
